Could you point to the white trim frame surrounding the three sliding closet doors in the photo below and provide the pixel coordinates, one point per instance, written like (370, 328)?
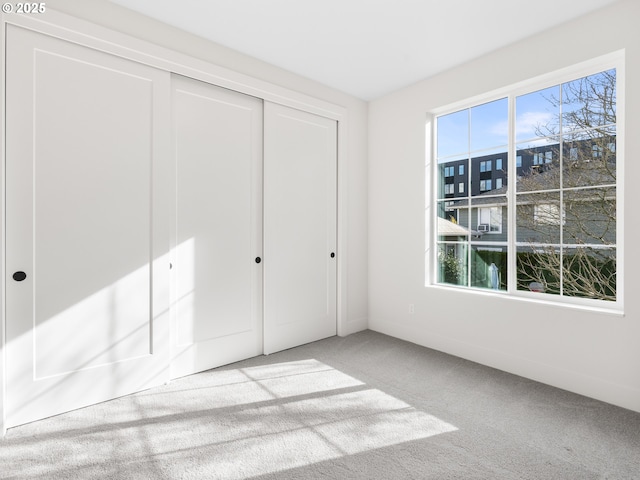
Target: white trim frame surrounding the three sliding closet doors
(72, 29)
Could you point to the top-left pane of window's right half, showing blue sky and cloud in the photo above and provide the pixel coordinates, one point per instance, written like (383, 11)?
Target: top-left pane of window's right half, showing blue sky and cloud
(538, 114)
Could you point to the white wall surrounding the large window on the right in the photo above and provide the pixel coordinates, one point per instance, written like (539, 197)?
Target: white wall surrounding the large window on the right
(595, 354)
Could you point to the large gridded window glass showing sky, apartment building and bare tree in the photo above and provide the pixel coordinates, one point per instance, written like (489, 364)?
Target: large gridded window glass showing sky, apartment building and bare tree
(554, 233)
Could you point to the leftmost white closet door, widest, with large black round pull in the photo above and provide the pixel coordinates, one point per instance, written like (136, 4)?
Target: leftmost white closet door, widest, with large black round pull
(87, 237)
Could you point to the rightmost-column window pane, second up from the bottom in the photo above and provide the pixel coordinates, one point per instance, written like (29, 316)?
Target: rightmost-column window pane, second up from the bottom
(590, 216)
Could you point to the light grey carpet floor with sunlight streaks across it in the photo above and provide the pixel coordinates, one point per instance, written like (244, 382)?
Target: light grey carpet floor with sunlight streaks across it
(366, 406)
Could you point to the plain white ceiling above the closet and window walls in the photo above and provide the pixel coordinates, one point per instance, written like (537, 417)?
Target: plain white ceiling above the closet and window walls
(366, 48)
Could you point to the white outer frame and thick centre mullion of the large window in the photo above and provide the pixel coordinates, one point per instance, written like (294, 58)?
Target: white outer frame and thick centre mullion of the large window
(600, 64)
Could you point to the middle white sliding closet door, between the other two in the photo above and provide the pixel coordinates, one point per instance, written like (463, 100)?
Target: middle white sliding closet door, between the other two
(217, 283)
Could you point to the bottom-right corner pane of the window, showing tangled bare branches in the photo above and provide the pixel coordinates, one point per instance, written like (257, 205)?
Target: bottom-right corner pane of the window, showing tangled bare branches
(589, 273)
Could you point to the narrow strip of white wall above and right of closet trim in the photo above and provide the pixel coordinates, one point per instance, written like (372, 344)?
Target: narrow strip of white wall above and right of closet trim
(115, 17)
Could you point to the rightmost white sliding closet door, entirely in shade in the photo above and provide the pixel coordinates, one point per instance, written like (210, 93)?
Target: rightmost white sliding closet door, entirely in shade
(300, 165)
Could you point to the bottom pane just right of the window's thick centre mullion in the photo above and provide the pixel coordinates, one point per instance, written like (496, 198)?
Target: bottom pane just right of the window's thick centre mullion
(538, 269)
